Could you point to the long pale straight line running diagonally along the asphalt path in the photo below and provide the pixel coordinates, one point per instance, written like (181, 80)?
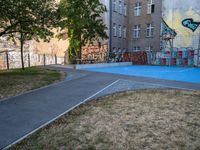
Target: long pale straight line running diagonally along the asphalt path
(23, 137)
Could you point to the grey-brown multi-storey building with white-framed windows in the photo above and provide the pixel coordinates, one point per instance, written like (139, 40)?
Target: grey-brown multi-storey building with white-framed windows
(133, 25)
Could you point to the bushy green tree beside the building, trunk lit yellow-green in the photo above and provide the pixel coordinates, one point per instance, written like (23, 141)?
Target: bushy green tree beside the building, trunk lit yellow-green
(82, 19)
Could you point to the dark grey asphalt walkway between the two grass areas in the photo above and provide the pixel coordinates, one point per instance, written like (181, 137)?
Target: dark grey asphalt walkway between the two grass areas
(26, 113)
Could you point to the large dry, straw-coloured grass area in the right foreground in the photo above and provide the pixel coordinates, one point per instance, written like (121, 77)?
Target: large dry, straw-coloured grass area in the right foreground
(147, 119)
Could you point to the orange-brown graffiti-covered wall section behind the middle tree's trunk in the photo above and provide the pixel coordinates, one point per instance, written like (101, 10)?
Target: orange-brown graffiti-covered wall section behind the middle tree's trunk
(96, 52)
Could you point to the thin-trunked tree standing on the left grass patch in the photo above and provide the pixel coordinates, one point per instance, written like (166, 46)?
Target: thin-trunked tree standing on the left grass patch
(27, 19)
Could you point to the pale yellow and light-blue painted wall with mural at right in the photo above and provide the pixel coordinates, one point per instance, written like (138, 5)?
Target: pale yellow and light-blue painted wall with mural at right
(175, 14)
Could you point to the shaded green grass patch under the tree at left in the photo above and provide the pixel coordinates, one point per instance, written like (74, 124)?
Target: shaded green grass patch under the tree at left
(17, 81)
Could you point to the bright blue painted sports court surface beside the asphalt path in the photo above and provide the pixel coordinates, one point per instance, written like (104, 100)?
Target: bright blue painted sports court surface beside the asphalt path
(184, 74)
